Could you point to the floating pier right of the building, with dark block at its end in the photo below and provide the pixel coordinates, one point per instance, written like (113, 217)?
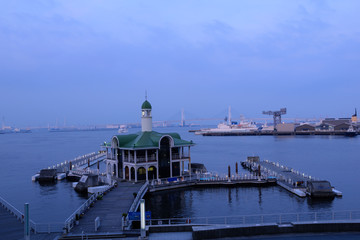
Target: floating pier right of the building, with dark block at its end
(296, 182)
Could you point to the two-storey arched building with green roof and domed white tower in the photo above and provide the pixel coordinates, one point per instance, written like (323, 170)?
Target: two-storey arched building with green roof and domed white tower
(147, 155)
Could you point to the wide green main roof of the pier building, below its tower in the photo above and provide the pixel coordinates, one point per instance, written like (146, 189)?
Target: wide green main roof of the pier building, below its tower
(148, 140)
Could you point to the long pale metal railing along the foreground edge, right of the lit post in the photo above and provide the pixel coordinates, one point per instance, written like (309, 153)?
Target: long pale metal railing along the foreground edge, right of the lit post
(264, 218)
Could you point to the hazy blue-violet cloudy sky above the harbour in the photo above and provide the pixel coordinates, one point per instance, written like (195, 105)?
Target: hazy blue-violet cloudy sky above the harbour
(91, 61)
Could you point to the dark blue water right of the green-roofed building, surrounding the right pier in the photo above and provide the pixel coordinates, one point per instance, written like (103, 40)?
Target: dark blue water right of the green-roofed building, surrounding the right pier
(335, 158)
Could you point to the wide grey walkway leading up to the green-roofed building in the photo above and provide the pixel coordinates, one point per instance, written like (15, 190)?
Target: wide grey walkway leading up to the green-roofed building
(109, 209)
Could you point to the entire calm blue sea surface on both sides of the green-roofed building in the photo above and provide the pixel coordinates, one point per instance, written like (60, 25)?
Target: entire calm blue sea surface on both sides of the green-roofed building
(335, 158)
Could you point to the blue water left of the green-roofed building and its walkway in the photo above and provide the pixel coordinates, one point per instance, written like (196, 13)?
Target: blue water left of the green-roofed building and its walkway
(24, 154)
